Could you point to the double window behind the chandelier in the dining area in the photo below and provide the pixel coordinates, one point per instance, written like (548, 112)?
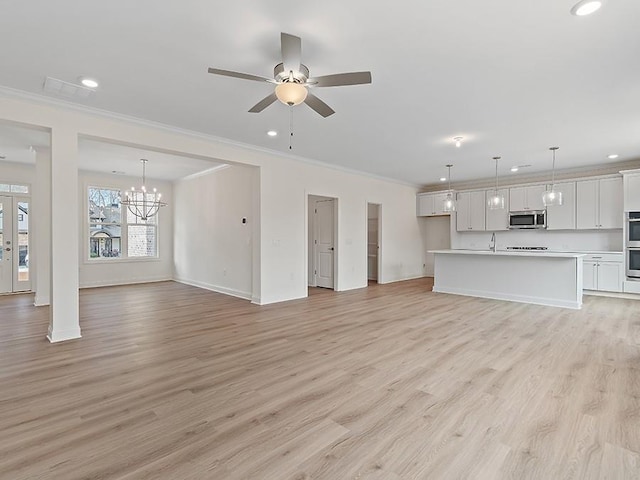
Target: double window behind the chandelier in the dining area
(111, 235)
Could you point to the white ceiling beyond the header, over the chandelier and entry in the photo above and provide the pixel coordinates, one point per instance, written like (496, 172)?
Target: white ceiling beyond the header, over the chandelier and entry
(98, 156)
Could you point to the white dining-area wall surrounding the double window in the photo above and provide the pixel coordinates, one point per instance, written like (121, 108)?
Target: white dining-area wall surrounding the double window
(101, 272)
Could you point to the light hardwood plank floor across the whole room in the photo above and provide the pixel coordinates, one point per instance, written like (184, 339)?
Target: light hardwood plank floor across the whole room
(390, 382)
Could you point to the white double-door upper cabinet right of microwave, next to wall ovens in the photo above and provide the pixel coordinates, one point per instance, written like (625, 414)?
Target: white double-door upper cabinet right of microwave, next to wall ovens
(599, 204)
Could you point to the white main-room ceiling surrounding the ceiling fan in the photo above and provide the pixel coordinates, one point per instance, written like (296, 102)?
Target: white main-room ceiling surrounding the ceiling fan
(511, 77)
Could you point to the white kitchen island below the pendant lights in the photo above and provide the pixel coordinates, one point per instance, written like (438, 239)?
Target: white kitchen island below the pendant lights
(543, 278)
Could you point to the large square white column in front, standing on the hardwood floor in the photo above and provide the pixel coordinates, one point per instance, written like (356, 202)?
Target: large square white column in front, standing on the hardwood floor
(64, 322)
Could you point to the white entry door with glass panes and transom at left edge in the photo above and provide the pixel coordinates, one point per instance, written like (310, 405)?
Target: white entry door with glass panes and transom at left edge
(14, 239)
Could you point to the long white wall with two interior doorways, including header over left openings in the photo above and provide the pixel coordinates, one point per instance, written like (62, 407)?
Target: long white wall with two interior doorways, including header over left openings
(285, 182)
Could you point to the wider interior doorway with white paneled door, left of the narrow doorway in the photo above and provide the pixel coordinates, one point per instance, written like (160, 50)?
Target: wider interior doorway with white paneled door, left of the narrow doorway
(322, 234)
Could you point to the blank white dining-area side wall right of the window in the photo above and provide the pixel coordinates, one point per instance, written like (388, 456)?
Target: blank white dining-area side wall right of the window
(213, 248)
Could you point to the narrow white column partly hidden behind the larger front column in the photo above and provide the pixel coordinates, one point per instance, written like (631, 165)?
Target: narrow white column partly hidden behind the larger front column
(41, 226)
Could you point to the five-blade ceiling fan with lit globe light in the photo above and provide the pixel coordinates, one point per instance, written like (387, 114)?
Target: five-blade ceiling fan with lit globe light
(292, 79)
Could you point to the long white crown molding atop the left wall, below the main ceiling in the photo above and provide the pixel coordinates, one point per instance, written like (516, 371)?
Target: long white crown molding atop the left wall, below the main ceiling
(13, 93)
